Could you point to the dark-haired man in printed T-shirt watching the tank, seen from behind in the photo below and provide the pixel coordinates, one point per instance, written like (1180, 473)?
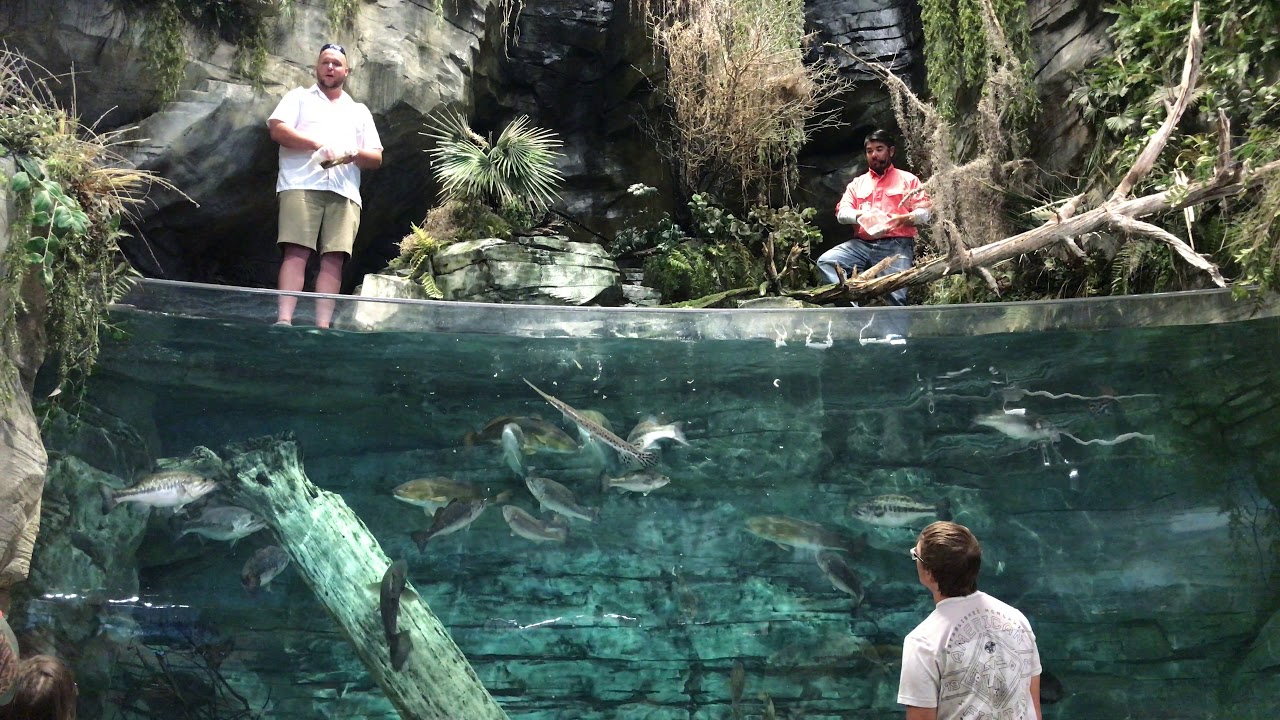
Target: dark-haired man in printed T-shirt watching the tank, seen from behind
(973, 657)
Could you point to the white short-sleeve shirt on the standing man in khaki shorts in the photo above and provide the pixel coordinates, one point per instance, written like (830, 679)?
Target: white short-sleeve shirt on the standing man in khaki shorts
(340, 124)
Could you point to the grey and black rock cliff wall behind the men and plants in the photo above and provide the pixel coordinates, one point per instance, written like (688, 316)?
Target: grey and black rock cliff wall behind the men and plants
(583, 69)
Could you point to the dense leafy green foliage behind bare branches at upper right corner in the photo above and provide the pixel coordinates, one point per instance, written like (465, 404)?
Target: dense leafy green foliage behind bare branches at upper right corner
(1126, 98)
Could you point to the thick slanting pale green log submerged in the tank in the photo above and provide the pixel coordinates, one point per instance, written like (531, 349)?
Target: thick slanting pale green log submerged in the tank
(342, 563)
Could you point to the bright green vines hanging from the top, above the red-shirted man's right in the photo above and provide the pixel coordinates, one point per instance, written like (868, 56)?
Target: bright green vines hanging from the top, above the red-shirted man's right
(958, 53)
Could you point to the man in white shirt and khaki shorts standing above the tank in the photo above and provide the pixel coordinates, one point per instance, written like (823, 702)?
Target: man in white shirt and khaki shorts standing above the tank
(326, 140)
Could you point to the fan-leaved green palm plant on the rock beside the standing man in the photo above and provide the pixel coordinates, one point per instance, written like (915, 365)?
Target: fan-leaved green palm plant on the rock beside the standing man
(519, 168)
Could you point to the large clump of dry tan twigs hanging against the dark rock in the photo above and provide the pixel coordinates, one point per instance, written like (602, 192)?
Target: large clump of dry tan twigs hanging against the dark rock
(739, 92)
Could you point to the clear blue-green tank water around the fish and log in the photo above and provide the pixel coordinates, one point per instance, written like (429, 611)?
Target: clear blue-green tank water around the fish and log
(1148, 568)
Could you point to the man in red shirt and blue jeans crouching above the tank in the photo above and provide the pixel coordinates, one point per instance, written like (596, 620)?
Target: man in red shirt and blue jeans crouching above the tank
(886, 206)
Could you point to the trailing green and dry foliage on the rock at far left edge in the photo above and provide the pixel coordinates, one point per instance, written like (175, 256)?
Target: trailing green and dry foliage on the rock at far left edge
(67, 227)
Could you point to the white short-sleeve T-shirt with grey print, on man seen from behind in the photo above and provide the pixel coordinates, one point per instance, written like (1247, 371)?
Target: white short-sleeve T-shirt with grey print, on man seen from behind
(973, 657)
